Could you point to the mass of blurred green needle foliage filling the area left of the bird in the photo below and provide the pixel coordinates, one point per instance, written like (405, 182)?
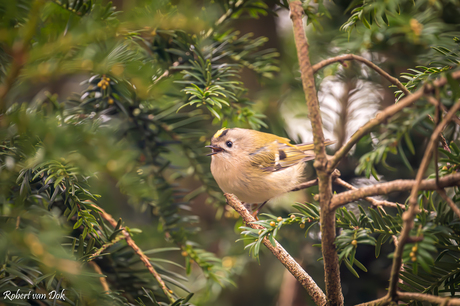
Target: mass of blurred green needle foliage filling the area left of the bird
(126, 126)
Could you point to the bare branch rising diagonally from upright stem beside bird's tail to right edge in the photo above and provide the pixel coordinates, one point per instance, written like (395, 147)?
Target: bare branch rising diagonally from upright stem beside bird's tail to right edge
(381, 117)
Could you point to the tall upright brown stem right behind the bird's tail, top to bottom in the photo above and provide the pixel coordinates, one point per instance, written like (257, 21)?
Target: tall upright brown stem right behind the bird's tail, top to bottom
(327, 216)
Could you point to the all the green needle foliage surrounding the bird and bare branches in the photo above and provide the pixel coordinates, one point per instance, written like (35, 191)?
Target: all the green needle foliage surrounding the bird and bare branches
(157, 80)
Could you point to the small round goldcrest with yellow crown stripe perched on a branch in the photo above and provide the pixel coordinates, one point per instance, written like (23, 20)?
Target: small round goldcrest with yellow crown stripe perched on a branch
(257, 166)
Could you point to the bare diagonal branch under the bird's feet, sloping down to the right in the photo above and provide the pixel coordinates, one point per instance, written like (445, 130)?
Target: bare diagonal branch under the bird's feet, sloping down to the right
(296, 270)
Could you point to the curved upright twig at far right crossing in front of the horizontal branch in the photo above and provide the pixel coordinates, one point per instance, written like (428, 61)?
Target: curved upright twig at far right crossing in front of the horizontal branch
(409, 215)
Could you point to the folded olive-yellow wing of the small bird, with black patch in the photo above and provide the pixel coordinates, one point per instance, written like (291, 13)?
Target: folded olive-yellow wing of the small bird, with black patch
(277, 156)
